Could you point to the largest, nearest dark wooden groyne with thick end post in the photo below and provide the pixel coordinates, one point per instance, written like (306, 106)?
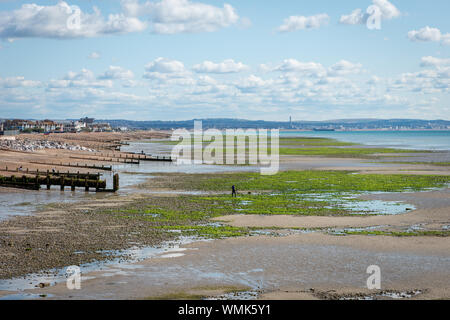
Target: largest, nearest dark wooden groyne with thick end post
(34, 183)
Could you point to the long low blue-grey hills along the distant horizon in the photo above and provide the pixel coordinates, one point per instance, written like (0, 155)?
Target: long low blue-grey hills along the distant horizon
(341, 124)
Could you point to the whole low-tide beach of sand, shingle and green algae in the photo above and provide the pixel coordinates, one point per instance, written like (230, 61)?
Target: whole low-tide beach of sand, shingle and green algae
(321, 253)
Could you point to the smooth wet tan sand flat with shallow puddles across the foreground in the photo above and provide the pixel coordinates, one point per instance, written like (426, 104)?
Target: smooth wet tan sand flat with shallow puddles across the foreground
(268, 265)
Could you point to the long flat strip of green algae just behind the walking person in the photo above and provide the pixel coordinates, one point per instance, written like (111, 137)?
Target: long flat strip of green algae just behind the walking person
(304, 181)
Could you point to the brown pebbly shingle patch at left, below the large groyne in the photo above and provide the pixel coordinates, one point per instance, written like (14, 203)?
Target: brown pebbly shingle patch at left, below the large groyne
(60, 235)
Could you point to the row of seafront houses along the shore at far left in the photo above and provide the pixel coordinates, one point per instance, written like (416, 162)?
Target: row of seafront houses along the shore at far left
(16, 126)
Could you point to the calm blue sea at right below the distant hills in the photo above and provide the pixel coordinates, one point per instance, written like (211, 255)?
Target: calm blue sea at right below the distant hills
(430, 140)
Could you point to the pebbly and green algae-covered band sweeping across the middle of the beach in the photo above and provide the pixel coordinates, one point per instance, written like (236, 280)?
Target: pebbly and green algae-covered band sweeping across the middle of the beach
(145, 219)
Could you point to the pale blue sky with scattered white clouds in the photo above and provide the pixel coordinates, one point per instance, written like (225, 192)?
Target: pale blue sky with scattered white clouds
(184, 59)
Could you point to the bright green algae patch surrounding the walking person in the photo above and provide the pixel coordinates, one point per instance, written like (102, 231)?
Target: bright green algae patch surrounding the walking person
(298, 193)
